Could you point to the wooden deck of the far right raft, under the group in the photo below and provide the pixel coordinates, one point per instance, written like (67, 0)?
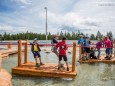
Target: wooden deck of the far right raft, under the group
(102, 59)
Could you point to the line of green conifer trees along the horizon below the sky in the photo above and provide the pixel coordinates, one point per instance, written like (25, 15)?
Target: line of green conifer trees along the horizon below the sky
(41, 36)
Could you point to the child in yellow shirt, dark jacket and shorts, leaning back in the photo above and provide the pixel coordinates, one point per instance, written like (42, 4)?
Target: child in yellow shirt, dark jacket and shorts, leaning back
(36, 52)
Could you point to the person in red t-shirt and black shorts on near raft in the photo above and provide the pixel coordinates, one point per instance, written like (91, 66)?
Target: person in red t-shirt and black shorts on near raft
(62, 52)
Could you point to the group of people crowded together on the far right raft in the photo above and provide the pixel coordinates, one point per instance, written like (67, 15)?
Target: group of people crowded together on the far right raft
(88, 51)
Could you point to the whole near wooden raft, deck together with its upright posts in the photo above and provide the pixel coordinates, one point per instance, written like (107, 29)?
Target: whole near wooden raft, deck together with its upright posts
(47, 70)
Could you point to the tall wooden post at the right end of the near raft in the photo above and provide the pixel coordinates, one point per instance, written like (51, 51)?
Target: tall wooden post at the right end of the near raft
(74, 57)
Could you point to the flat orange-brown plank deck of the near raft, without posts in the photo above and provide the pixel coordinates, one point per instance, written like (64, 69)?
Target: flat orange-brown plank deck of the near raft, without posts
(47, 70)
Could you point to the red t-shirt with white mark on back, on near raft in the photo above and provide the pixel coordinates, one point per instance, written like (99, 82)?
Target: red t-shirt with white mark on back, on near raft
(62, 48)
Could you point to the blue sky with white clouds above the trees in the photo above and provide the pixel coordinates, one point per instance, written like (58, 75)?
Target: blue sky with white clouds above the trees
(88, 16)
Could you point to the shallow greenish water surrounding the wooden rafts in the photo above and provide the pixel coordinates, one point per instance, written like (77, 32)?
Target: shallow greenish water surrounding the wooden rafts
(93, 74)
